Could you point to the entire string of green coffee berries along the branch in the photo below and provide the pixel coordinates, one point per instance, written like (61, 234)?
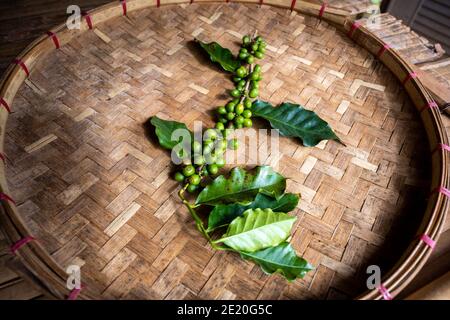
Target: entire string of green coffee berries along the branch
(205, 159)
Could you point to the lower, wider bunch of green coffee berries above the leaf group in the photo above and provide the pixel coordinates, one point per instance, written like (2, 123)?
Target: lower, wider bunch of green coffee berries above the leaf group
(205, 158)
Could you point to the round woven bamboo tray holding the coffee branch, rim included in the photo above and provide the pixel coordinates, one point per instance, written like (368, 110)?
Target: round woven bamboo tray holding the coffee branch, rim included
(82, 184)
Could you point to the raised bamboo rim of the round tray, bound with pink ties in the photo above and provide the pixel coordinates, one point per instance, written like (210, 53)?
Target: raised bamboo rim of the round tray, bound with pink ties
(39, 262)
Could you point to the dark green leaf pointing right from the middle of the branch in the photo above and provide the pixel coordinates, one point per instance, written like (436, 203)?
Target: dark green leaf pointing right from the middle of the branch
(292, 120)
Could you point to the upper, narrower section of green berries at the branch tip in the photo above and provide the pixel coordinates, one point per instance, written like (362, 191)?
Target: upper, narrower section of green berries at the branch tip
(237, 113)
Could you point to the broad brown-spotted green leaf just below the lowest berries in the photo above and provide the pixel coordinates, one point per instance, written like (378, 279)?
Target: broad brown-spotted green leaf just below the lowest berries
(243, 186)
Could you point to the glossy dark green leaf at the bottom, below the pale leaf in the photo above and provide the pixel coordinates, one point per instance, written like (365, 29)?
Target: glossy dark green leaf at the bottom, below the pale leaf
(281, 259)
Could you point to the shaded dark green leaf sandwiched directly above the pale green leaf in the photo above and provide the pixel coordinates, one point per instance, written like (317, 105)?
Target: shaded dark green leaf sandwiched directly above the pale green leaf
(223, 214)
